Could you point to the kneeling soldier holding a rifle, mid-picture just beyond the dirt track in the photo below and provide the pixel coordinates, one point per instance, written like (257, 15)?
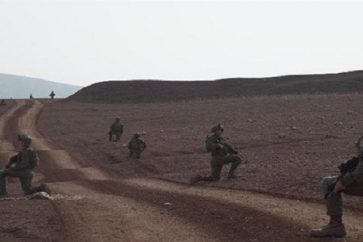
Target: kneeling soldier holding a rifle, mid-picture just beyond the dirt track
(222, 154)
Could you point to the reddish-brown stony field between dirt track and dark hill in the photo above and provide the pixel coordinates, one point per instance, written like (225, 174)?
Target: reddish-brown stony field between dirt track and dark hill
(290, 141)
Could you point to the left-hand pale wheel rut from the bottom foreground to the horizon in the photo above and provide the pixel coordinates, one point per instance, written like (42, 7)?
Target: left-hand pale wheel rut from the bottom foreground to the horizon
(96, 216)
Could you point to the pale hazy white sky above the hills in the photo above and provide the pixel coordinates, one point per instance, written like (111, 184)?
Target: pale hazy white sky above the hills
(83, 42)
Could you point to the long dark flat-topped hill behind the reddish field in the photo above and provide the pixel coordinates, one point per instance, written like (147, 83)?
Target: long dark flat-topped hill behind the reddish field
(155, 91)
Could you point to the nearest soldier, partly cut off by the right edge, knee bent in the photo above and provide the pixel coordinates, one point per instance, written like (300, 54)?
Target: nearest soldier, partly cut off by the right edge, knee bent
(350, 181)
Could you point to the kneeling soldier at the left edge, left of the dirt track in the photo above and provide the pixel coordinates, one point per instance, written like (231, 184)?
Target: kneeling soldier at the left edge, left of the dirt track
(22, 166)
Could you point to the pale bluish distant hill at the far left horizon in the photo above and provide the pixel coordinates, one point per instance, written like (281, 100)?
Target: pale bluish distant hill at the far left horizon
(12, 86)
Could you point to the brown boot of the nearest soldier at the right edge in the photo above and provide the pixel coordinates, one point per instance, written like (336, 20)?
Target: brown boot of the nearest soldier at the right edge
(335, 228)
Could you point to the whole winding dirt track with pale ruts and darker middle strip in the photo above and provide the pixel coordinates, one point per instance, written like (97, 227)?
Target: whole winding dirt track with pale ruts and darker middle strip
(94, 206)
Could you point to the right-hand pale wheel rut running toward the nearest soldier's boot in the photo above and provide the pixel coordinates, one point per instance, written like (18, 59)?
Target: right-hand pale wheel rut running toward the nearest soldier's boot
(309, 214)
